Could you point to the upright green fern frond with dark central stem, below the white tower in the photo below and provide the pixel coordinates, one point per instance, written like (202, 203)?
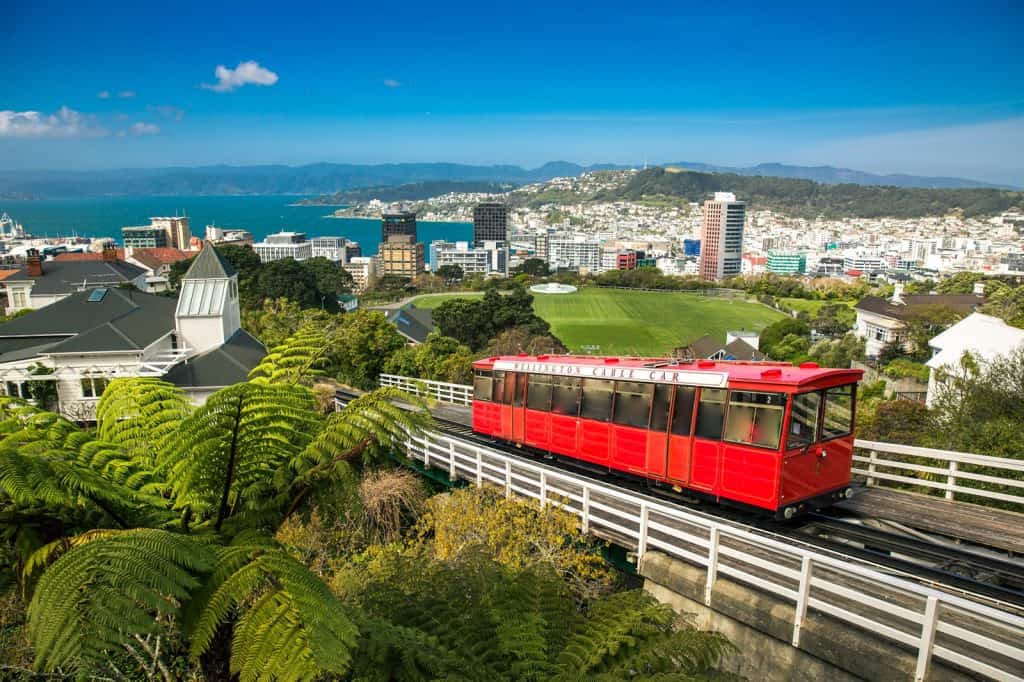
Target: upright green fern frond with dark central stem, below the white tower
(236, 451)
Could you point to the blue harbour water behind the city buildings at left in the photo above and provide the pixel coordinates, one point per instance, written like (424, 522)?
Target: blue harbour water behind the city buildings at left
(261, 216)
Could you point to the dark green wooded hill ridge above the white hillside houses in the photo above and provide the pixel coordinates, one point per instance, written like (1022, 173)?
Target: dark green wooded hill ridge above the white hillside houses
(807, 199)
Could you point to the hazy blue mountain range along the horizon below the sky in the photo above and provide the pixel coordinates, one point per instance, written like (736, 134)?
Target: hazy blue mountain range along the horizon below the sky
(329, 179)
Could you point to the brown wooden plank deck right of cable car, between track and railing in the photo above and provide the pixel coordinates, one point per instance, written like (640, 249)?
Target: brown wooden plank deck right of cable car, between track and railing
(974, 524)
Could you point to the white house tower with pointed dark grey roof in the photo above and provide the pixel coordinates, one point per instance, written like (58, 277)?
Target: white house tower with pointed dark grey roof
(208, 312)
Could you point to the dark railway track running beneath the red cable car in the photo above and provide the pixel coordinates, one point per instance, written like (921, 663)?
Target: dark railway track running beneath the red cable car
(932, 564)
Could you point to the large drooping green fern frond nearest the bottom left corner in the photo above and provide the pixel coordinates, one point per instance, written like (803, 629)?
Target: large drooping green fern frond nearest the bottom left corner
(100, 595)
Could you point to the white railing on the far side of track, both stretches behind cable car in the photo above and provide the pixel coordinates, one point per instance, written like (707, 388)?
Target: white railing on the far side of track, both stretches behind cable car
(944, 472)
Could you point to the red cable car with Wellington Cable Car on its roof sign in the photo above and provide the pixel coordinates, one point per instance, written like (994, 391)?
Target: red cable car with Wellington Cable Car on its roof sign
(762, 435)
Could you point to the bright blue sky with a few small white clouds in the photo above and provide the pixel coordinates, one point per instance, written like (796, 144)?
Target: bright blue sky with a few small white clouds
(925, 89)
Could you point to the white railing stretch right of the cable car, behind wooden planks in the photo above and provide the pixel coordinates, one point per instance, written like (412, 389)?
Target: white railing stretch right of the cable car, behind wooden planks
(942, 471)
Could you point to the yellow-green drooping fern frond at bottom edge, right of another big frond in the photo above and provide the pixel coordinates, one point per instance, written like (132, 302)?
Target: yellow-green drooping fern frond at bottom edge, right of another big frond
(295, 629)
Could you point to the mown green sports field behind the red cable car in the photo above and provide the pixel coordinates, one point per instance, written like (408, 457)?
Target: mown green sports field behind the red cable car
(622, 322)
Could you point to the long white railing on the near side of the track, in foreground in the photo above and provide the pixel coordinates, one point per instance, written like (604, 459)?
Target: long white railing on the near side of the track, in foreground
(931, 623)
